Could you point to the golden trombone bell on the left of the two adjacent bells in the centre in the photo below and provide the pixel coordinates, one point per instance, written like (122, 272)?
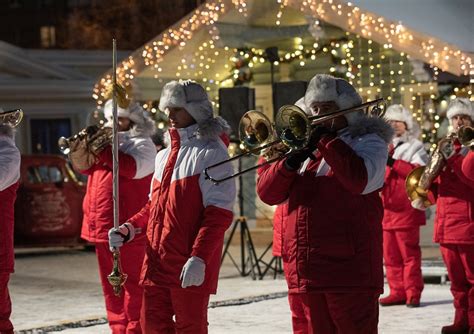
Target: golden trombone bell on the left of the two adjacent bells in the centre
(255, 130)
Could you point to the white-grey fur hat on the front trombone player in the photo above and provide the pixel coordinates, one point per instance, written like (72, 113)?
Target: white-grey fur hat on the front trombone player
(325, 88)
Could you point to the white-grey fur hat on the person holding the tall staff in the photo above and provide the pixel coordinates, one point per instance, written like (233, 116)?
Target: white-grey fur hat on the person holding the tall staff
(188, 95)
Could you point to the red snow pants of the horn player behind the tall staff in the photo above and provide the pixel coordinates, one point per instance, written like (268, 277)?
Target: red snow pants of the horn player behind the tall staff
(123, 313)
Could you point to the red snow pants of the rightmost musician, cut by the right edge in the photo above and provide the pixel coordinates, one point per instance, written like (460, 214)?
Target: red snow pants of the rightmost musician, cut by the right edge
(459, 260)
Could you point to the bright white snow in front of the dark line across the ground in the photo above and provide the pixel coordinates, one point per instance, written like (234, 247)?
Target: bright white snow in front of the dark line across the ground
(272, 316)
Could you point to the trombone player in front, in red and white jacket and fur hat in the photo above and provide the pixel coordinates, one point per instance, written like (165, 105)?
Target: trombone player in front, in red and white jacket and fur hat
(332, 242)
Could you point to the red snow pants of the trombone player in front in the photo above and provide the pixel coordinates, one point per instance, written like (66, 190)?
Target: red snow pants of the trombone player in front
(339, 313)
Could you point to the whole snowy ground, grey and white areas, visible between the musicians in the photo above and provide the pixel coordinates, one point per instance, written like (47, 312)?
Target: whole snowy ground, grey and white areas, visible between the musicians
(60, 289)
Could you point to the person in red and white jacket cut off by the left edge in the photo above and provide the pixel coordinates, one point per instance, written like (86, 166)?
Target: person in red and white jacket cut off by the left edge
(9, 180)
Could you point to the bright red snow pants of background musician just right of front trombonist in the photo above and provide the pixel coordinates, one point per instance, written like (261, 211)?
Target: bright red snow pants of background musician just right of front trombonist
(402, 257)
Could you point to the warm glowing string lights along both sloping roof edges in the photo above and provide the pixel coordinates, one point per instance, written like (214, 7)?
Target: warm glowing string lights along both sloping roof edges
(347, 15)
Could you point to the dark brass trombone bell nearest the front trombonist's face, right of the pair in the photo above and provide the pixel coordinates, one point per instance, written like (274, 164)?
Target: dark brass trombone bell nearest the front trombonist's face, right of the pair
(293, 127)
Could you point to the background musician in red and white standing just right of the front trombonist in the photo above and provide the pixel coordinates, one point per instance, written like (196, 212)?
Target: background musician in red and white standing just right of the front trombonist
(401, 222)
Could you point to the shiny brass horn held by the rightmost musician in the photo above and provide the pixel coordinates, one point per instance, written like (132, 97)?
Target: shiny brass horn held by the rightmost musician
(419, 181)
